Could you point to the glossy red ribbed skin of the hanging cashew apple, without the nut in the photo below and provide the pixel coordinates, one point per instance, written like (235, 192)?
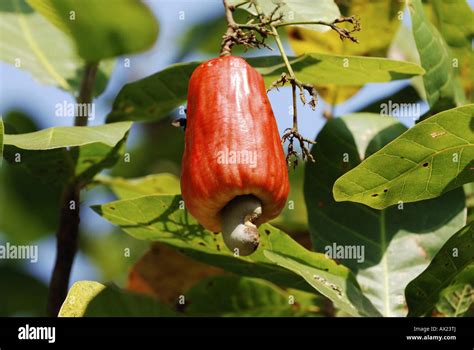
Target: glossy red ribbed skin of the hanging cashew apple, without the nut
(228, 108)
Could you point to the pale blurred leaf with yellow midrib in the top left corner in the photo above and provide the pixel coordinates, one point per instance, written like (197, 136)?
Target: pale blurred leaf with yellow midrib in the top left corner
(30, 43)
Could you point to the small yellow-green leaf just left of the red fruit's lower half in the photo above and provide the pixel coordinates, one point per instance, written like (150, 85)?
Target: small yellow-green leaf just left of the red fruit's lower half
(151, 184)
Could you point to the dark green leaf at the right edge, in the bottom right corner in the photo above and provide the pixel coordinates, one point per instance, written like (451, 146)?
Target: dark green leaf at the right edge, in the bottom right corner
(453, 265)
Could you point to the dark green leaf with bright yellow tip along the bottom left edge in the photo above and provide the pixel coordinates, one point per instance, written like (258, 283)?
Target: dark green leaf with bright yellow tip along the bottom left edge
(92, 299)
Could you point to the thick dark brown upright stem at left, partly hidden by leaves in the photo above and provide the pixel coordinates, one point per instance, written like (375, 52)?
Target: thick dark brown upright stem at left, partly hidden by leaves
(67, 235)
